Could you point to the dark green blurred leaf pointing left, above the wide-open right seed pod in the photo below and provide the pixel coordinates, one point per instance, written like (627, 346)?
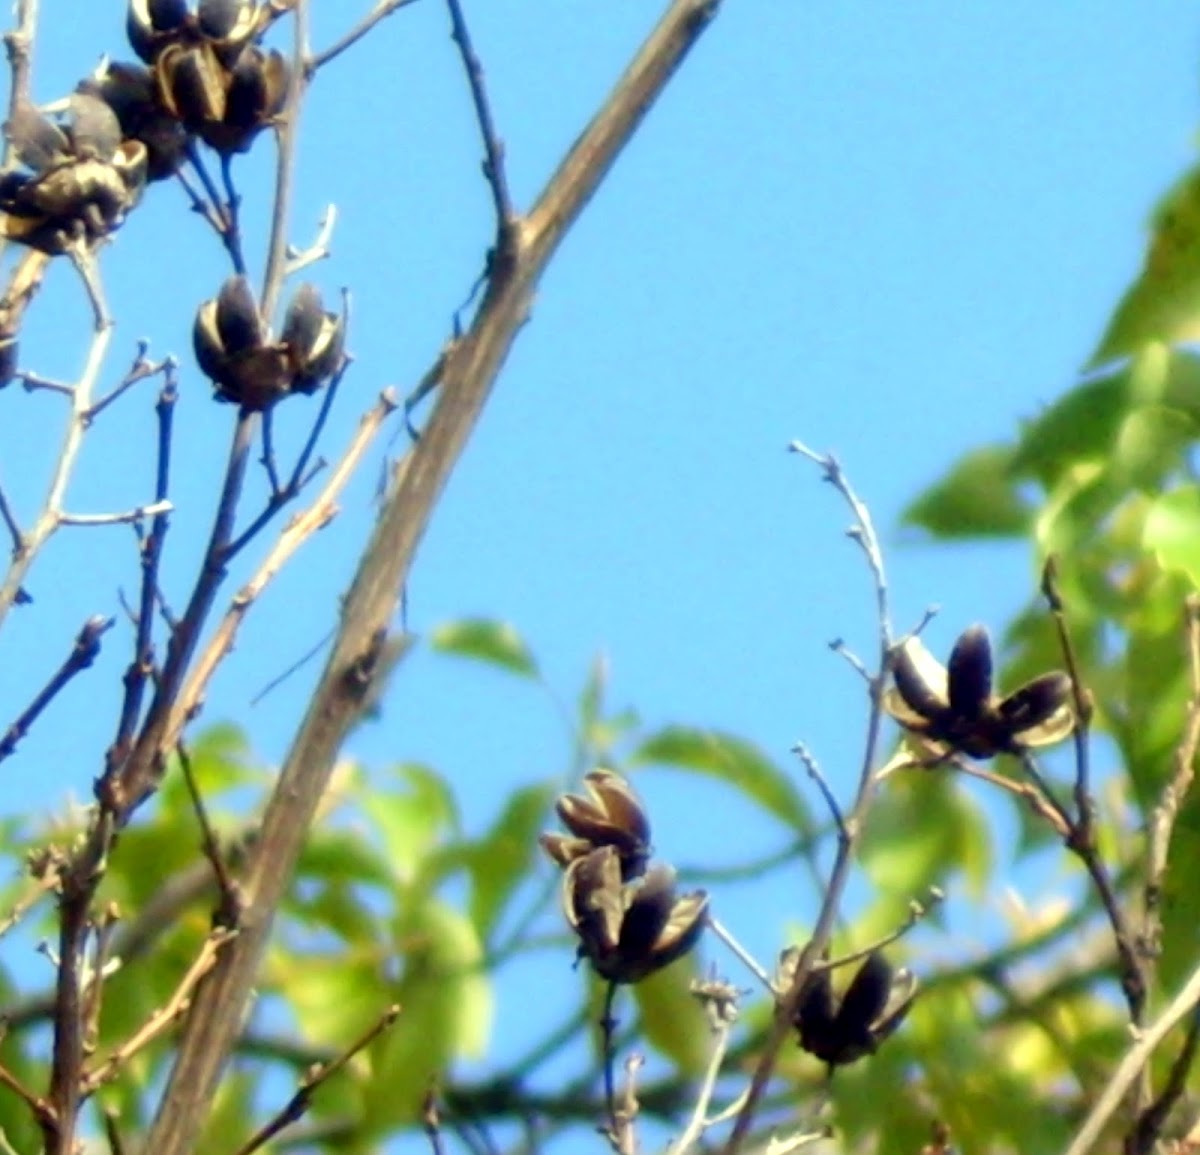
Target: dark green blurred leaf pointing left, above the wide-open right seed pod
(979, 498)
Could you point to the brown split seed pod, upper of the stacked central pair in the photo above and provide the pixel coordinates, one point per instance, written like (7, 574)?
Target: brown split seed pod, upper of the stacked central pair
(608, 815)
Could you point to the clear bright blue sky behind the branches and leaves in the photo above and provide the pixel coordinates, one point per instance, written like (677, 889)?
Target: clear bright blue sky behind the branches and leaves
(891, 231)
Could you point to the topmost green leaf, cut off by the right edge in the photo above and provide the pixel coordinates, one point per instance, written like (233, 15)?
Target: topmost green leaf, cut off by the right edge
(1165, 303)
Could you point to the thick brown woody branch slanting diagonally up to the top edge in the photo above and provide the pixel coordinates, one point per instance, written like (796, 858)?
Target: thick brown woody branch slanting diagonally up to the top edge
(471, 369)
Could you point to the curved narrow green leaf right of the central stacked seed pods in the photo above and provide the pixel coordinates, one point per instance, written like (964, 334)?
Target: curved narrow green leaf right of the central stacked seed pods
(733, 761)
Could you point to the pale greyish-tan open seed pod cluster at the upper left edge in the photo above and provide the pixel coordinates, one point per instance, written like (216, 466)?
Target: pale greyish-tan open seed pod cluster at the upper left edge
(83, 178)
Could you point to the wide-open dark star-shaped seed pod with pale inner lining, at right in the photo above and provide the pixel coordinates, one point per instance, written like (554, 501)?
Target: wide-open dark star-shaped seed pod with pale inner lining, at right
(957, 709)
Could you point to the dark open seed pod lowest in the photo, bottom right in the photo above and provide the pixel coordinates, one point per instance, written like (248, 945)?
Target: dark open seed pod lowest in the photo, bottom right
(871, 1010)
